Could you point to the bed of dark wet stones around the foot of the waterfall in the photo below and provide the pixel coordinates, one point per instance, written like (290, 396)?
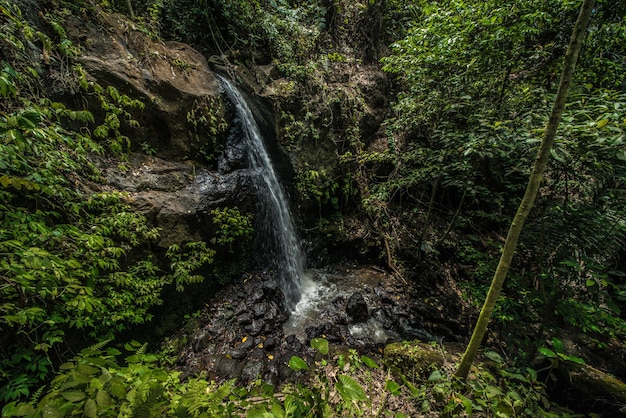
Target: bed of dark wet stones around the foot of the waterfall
(243, 335)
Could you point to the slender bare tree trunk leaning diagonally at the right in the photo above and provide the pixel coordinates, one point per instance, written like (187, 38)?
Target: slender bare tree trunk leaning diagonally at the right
(534, 182)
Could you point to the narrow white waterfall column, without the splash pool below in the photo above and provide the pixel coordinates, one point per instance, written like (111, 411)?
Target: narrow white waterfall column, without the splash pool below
(277, 220)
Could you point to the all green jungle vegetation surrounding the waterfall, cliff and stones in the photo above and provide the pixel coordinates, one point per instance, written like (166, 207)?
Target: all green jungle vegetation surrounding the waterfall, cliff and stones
(471, 85)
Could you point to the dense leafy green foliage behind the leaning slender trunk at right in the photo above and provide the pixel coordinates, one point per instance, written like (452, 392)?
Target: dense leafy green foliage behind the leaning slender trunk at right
(477, 81)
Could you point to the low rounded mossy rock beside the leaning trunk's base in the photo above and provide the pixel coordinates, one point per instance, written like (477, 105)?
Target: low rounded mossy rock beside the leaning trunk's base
(415, 360)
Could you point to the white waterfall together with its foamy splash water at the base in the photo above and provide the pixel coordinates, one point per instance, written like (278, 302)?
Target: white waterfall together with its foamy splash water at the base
(310, 296)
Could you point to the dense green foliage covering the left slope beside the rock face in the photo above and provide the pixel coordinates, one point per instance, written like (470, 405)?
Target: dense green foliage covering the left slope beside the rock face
(74, 267)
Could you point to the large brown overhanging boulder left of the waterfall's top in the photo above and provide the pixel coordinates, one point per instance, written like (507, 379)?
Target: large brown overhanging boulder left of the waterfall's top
(184, 113)
